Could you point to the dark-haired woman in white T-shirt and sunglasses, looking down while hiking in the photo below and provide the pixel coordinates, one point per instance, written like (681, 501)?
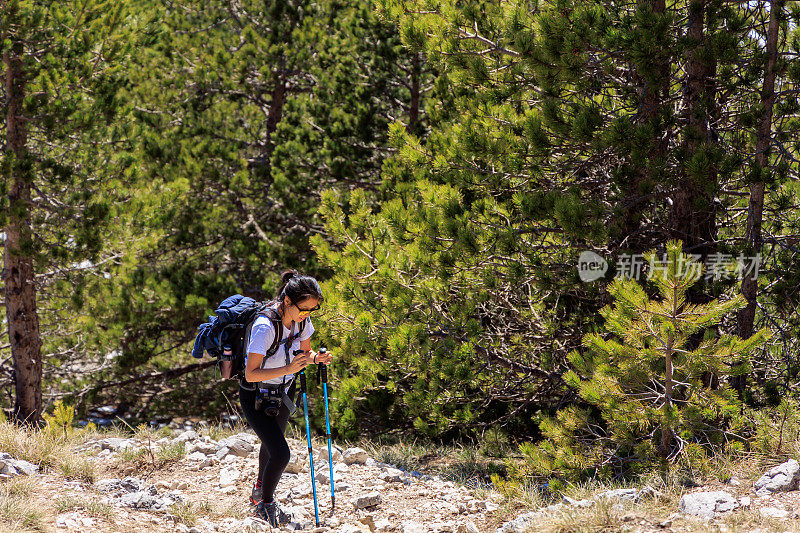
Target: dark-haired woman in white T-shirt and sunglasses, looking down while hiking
(267, 392)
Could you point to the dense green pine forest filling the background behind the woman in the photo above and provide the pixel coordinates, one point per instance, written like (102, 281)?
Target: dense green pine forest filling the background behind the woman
(439, 166)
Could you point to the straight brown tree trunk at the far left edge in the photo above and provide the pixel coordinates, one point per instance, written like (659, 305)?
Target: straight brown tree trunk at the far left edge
(18, 274)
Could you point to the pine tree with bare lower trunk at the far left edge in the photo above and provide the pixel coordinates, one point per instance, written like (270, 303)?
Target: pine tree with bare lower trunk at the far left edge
(61, 76)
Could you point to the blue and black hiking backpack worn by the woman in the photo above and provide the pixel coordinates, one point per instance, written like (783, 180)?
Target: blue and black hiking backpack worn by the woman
(225, 335)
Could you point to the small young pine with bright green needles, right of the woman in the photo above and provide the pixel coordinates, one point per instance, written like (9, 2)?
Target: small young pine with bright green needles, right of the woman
(645, 399)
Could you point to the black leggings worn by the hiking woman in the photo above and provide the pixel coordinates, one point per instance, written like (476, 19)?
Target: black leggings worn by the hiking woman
(274, 453)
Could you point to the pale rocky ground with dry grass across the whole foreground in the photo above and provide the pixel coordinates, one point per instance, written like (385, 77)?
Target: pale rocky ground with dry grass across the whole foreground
(189, 482)
